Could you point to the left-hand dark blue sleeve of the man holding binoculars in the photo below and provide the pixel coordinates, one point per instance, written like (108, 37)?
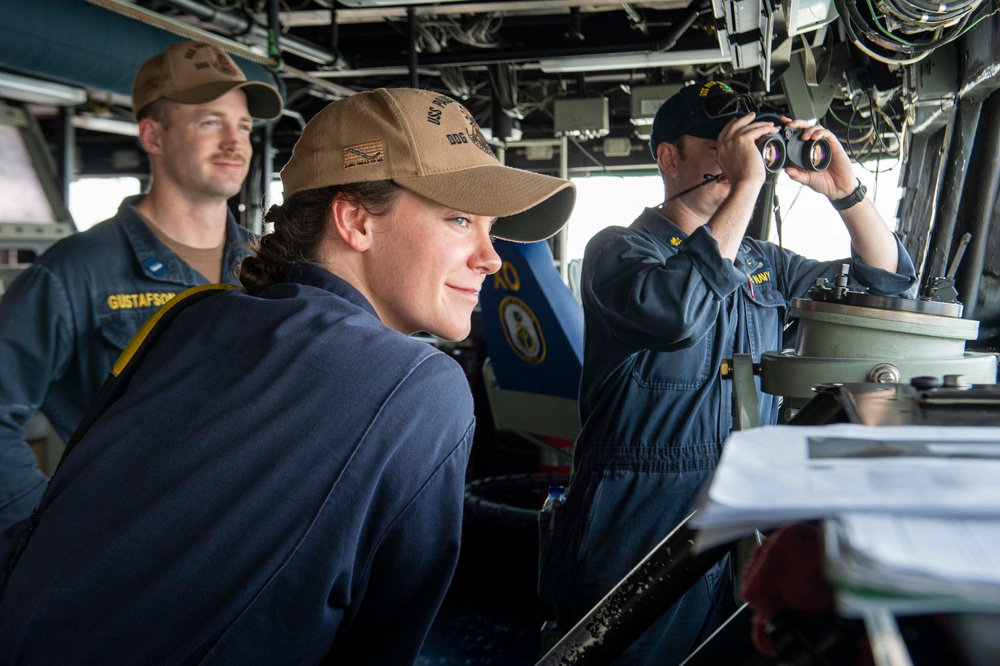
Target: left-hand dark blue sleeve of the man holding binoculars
(654, 296)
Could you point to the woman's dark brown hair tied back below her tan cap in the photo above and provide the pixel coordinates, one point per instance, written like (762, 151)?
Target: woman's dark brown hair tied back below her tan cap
(299, 228)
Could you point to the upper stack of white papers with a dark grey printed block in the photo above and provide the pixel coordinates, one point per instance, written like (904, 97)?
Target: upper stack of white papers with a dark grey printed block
(776, 474)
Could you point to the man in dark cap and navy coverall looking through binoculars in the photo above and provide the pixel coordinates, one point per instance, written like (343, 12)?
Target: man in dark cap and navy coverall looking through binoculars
(665, 300)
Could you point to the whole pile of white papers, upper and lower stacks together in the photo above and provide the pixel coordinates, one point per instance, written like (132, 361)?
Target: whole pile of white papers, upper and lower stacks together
(913, 512)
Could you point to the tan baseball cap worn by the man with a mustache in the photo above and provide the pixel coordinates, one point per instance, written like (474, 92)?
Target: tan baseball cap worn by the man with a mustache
(195, 73)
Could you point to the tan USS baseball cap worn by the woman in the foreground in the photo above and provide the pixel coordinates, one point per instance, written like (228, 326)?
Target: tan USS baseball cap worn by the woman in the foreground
(431, 145)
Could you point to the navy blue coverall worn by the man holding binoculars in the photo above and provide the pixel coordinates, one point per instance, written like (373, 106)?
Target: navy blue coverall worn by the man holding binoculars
(662, 309)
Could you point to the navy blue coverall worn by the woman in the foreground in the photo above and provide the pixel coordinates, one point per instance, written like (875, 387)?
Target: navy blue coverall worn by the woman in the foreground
(282, 483)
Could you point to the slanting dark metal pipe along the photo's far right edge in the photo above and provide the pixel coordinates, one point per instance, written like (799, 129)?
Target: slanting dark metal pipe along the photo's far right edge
(971, 270)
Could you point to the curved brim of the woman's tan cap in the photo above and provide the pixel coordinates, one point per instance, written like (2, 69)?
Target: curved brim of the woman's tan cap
(528, 206)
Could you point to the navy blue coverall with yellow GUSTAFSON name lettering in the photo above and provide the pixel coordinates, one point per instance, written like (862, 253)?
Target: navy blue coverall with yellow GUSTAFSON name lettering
(65, 320)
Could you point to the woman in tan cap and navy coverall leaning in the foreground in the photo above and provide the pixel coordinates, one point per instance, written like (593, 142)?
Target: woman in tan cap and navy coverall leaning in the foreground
(289, 462)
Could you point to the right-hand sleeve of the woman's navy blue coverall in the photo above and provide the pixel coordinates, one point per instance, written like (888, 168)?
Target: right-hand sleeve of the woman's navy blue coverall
(410, 569)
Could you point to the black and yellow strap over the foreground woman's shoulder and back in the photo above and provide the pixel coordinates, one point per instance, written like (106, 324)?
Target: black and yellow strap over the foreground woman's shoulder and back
(113, 388)
